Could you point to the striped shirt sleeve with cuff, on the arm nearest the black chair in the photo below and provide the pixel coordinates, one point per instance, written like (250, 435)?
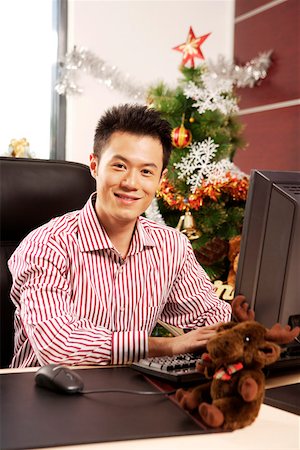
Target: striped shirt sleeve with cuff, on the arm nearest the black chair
(43, 296)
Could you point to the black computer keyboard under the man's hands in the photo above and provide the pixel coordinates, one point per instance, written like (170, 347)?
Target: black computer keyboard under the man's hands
(178, 369)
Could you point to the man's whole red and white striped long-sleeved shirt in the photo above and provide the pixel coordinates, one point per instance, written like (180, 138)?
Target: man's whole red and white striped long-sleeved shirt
(79, 302)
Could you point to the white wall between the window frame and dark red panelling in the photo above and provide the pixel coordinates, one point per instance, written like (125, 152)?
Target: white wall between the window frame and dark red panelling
(137, 37)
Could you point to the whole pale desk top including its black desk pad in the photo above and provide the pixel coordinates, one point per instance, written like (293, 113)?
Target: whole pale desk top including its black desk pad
(274, 429)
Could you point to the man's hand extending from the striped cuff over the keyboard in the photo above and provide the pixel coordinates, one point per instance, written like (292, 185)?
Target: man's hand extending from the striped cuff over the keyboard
(192, 341)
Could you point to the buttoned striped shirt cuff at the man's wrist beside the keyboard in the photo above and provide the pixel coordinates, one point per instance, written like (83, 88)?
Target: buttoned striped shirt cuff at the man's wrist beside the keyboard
(129, 346)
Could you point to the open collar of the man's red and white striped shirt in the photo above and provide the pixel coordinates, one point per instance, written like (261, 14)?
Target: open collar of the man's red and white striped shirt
(92, 236)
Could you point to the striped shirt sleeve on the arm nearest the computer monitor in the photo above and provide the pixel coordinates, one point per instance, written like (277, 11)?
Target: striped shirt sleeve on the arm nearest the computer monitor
(192, 301)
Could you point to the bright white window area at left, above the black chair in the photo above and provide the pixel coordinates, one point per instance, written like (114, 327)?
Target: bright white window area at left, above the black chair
(28, 49)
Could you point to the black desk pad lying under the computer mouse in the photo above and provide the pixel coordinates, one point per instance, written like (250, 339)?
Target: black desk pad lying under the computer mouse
(33, 417)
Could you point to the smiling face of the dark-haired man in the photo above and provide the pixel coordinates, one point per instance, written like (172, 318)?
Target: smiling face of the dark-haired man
(127, 176)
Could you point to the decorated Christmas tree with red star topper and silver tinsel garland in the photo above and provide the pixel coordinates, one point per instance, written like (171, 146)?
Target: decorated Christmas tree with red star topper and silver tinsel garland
(204, 193)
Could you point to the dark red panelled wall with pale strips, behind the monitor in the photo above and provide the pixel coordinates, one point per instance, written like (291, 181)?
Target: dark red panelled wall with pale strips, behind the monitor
(273, 136)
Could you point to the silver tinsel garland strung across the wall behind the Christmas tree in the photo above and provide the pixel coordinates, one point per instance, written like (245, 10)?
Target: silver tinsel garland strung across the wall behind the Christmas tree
(86, 61)
